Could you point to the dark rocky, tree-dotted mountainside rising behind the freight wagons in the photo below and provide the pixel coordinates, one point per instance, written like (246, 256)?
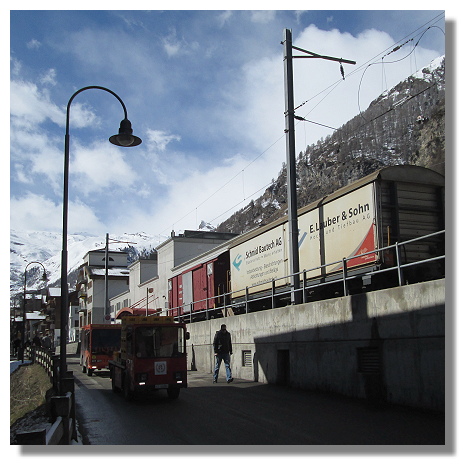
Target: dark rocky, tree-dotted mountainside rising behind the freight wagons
(404, 125)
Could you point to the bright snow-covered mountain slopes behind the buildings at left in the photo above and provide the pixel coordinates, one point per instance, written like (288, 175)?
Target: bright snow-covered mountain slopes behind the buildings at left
(46, 247)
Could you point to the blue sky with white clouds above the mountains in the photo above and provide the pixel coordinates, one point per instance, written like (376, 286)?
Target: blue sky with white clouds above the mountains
(205, 92)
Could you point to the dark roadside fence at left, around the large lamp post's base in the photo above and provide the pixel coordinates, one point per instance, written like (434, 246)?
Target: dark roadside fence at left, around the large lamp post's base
(62, 408)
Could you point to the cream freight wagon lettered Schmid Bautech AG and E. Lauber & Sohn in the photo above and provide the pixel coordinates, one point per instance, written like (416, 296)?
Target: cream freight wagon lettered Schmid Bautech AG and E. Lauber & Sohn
(391, 205)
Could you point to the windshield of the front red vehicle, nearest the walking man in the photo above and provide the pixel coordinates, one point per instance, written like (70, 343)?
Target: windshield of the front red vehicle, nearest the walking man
(158, 341)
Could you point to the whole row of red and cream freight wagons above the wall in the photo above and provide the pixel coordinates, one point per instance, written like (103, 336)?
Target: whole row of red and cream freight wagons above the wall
(391, 205)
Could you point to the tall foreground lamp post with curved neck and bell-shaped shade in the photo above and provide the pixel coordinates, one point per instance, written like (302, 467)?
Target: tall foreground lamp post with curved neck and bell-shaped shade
(124, 138)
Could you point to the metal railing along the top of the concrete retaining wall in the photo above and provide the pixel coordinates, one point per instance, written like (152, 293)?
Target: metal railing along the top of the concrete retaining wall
(282, 285)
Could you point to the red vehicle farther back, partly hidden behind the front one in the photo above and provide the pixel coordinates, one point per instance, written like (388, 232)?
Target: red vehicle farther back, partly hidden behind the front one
(98, 343)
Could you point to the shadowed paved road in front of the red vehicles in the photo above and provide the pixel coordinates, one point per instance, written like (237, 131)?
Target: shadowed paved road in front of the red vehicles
(243, 413)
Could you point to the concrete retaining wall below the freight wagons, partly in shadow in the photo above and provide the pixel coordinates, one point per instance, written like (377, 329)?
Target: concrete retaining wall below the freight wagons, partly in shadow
(386, 345)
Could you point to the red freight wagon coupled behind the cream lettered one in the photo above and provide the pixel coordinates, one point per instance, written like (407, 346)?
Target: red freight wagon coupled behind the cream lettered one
(200, 289)
